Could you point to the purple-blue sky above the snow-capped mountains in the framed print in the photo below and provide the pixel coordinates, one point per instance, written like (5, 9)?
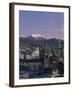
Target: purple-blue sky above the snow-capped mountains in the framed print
(48, 24)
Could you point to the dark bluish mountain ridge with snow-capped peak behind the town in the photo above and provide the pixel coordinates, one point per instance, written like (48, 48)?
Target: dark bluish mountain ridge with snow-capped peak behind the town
(38, 40)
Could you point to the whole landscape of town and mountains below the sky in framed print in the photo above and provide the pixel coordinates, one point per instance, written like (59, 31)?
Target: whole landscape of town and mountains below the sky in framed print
(40, 57)
